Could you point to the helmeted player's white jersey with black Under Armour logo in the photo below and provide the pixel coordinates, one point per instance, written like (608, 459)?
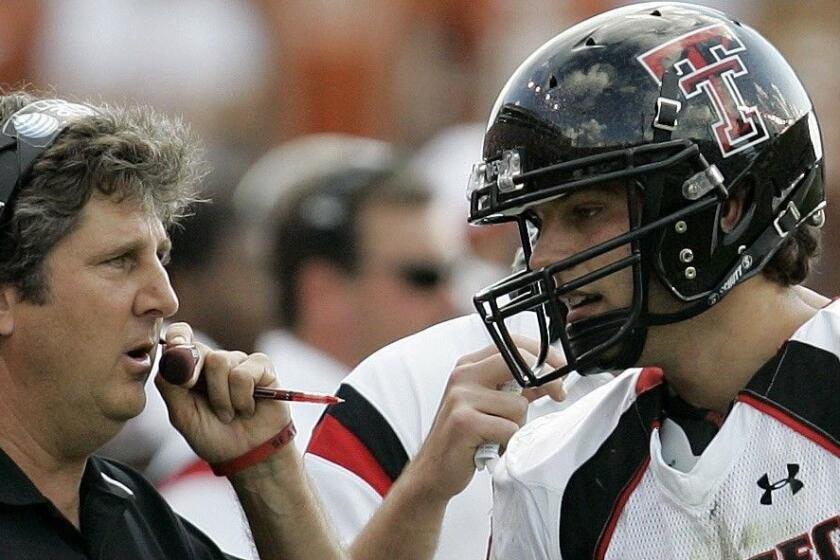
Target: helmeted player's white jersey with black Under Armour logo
(611, 478)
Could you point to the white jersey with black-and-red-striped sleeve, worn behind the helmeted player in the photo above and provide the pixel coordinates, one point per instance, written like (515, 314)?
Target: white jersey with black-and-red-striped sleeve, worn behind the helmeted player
(361, 446)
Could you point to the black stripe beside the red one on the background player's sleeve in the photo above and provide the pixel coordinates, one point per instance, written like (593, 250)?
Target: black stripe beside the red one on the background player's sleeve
(365, 422)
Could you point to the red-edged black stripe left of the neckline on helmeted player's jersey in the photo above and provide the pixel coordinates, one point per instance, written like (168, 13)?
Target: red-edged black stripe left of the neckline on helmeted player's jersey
(598, 490)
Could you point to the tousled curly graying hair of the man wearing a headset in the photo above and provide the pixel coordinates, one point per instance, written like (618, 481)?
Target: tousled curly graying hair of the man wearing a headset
(123, 153)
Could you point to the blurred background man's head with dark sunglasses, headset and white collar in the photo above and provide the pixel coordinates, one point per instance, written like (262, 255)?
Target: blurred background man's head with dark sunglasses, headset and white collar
(357, 263)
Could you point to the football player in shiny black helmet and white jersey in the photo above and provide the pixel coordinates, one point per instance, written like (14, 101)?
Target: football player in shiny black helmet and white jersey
(664, 164)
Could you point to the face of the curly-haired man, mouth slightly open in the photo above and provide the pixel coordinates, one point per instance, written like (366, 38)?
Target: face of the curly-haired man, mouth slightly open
(88, 350)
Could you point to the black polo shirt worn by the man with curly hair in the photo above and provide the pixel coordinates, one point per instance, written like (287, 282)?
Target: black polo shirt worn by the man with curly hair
(122, 517)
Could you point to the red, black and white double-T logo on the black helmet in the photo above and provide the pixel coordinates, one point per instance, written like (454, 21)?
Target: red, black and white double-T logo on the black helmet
(707, 62)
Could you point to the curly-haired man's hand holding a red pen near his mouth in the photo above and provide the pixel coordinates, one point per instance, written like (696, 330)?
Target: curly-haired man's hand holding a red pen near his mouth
(226, 421)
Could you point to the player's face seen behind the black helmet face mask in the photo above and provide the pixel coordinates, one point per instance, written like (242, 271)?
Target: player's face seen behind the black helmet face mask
(577, 222)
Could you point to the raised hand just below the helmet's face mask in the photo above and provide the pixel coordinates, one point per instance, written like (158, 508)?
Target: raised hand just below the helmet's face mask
(473, 410)
